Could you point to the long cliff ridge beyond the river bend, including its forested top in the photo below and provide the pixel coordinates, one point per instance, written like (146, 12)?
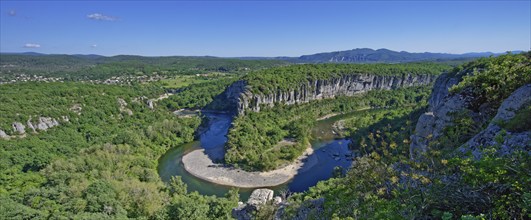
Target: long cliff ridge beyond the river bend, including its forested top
(302, 84)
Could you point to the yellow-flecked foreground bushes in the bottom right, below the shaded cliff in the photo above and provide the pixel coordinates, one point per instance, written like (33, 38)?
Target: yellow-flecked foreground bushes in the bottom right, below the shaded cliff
(388, 186)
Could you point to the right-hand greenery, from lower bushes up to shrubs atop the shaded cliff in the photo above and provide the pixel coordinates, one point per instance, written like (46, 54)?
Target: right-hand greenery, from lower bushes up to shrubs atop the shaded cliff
(383, 183)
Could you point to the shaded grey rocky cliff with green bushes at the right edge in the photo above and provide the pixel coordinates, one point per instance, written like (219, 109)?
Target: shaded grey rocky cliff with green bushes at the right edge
(468, 100)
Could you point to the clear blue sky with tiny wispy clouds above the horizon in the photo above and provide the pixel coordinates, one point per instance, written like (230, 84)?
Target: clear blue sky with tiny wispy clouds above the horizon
(262, 28)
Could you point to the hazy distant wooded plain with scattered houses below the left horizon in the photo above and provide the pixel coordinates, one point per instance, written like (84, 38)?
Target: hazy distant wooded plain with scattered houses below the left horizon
(87, 67)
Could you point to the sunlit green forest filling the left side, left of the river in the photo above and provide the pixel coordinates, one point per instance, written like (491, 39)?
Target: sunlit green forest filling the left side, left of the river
(101, 163)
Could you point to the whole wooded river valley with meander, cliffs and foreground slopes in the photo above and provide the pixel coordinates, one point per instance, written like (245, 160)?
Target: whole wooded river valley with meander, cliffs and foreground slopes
(319, 136)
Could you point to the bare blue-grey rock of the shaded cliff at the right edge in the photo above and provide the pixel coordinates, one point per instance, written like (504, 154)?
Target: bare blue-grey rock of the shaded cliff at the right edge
(441, 104)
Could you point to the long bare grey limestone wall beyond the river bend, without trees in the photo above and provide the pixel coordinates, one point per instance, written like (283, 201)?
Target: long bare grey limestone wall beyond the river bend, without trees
(240, 97)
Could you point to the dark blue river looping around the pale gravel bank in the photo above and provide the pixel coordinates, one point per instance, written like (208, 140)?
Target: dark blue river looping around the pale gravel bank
(329, 150)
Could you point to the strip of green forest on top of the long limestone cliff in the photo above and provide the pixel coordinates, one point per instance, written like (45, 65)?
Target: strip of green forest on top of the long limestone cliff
(283, 78)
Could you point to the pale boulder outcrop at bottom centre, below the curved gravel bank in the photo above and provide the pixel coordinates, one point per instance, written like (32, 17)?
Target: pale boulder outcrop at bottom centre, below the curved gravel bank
(258, 198)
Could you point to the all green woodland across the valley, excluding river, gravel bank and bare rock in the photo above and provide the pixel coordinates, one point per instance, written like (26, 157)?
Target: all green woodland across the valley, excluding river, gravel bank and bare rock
(100, 162)
